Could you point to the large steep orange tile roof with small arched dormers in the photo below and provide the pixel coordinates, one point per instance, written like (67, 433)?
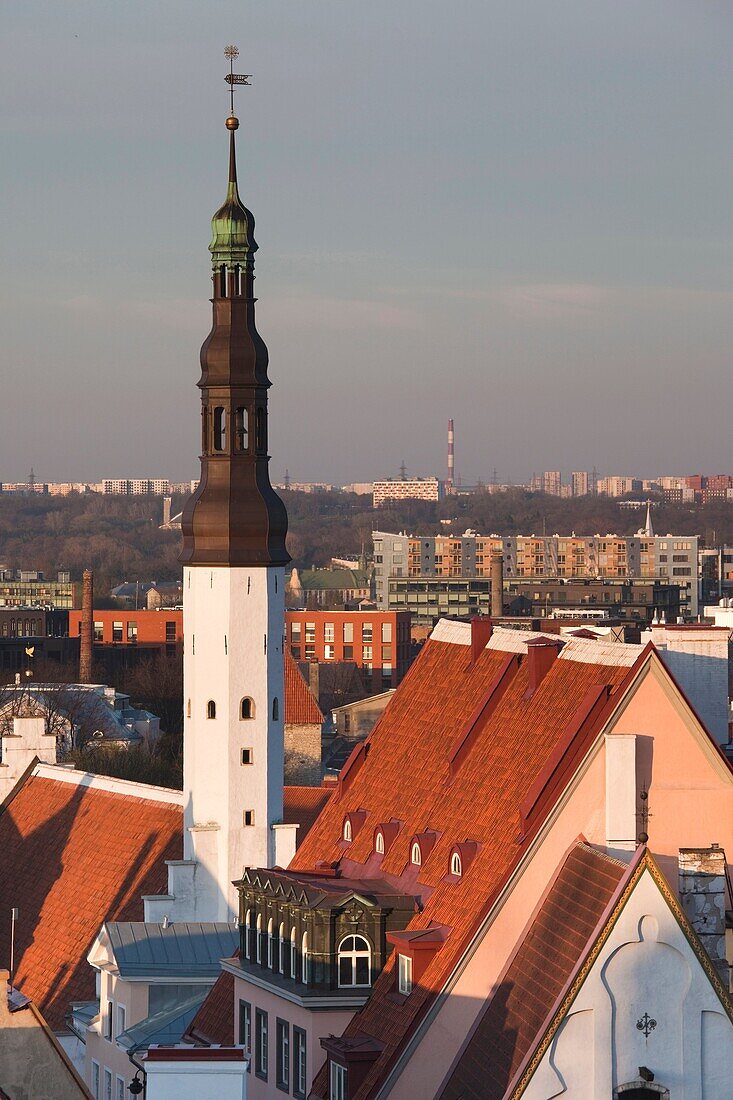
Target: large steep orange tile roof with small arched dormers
(406, 775)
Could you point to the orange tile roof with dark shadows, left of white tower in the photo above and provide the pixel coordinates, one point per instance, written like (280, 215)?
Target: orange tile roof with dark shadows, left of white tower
(72, 857)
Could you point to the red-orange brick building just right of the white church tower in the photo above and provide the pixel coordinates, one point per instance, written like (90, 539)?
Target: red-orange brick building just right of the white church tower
(378, 643)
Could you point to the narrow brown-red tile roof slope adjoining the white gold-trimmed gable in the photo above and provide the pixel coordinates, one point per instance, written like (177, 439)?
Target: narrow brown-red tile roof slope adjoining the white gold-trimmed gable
(539, 973)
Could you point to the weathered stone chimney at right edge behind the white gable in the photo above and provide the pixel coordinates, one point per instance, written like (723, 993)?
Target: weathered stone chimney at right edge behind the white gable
(703, 895)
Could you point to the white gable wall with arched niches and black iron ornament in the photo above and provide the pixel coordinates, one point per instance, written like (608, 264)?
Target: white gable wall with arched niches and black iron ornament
(647, 969)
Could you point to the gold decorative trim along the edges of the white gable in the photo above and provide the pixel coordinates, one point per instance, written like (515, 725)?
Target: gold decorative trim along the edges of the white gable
(648, 863)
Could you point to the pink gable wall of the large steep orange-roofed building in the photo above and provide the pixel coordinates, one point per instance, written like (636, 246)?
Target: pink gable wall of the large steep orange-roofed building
(691, 802)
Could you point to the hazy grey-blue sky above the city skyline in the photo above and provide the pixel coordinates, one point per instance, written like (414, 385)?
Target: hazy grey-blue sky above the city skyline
(513, 213)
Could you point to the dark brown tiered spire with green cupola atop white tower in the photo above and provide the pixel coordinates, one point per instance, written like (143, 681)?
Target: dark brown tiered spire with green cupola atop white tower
(235, 518)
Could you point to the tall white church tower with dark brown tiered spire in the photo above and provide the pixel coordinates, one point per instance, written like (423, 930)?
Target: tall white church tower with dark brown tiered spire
(234, 558)
